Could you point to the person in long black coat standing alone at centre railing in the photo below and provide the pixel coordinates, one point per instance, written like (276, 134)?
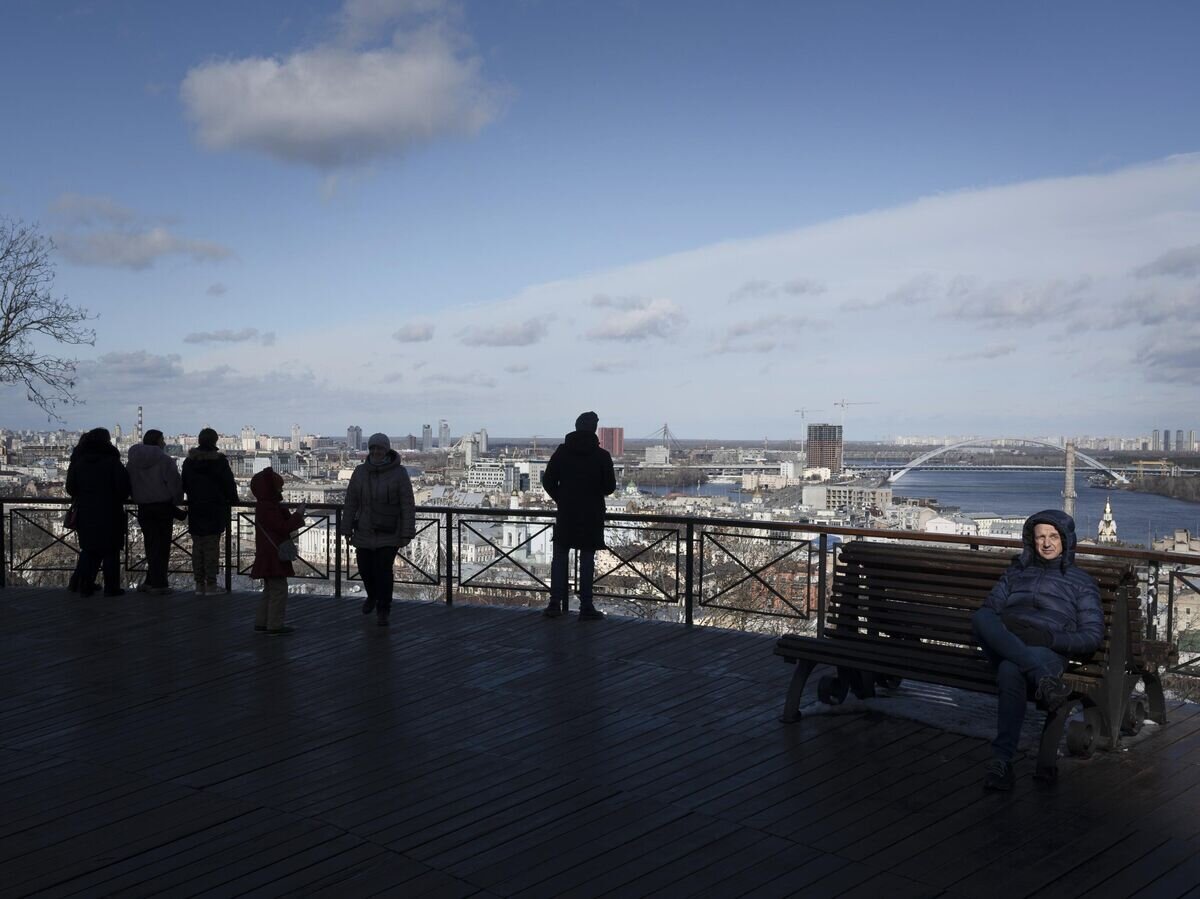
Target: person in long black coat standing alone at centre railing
(579, 477)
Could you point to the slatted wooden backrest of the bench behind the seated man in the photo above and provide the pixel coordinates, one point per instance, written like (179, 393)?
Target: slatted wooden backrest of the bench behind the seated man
(925, 595)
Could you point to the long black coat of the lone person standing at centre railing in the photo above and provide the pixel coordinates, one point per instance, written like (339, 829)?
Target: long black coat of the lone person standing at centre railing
(578, 478)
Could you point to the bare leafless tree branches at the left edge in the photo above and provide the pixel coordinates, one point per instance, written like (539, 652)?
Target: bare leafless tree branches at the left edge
(31, 315)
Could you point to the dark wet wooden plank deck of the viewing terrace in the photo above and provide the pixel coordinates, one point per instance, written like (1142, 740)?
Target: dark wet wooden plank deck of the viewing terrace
(158, 746)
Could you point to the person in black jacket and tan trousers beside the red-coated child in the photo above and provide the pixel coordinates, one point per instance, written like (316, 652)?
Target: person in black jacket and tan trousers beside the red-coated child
(212, 492)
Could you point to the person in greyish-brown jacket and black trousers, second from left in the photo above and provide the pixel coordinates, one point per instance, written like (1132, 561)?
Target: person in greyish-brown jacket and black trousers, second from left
(157, 489)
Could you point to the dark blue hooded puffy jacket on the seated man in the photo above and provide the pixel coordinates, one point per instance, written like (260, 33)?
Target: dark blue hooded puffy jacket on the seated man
(1054, 596)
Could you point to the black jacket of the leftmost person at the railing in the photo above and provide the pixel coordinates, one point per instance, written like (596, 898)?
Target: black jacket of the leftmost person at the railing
(99, 486)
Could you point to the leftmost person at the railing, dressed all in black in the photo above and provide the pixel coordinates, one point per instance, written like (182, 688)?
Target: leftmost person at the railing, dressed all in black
(99, 486)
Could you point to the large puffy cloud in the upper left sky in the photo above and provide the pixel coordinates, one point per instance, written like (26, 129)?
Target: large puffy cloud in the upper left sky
(339, 104)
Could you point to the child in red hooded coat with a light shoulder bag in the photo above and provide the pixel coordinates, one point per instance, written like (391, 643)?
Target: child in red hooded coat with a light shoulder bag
(273, 529)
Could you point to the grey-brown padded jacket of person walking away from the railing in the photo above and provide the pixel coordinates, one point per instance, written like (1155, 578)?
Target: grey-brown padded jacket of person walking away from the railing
(380, 506)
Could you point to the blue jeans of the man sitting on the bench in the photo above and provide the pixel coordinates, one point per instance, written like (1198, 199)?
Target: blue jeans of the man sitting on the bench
(1018, 669)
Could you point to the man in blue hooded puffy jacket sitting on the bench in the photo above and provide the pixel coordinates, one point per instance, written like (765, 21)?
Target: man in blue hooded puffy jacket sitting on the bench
(1041, 612)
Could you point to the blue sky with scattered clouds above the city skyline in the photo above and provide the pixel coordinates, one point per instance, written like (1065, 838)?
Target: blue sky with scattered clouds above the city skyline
(953, 218)
